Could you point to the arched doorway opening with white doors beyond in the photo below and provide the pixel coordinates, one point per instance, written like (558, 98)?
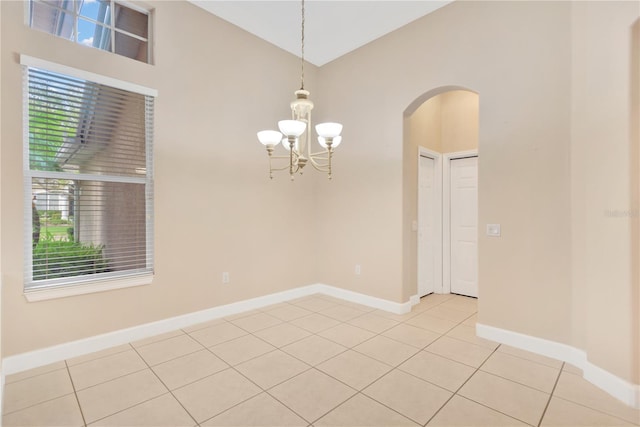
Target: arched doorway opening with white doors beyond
(441, 140)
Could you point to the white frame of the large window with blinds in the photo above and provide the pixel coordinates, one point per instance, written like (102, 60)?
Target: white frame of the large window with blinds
(81, 285)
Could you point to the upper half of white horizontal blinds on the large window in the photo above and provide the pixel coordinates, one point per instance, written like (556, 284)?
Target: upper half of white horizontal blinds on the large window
(78, 125)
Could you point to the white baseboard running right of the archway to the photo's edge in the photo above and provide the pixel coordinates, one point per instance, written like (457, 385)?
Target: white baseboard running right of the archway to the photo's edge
(617, 387)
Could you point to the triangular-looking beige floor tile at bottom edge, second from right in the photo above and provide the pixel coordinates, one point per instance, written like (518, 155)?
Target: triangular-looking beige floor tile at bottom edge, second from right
(461, 412)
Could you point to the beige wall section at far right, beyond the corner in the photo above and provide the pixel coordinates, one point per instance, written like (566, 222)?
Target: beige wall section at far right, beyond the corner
(604, 181)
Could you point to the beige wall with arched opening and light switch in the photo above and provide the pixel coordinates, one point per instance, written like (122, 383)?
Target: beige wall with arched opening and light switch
(524, 121)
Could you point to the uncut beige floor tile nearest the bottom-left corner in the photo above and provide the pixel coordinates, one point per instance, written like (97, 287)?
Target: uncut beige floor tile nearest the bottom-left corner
(113, 396)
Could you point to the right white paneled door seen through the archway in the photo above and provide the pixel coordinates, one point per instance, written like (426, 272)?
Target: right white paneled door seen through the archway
(464, 226)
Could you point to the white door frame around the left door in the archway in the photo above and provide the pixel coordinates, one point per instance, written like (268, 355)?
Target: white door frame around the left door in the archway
(437, 157)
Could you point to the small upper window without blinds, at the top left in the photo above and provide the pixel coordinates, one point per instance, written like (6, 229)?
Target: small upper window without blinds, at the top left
(105, 24)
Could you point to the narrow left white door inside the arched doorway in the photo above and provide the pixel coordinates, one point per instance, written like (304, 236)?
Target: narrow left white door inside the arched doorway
(428, 243)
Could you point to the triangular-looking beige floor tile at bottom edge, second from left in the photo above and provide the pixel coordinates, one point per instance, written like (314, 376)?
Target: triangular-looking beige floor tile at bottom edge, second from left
(261, 410)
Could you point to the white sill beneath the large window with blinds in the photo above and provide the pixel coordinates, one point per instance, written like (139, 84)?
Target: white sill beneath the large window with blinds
(87, 288)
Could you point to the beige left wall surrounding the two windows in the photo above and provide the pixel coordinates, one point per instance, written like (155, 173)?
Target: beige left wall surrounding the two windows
(216, 209)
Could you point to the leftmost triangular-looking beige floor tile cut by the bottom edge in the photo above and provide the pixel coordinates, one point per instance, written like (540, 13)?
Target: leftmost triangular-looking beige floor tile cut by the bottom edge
(162, 411)
